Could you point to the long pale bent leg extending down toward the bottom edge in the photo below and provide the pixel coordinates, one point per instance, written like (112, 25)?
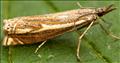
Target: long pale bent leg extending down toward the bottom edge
(78, 46)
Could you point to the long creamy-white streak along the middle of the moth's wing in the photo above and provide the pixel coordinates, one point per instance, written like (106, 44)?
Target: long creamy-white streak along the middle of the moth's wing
(47, 27)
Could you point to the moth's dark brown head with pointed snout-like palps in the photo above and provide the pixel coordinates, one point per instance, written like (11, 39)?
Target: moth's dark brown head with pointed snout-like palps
(104, 10)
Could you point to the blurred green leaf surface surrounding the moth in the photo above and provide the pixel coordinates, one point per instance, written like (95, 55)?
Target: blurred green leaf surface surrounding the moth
(98, 48)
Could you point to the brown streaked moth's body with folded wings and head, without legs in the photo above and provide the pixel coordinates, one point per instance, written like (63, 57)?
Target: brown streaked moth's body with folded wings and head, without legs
(34, 29)
